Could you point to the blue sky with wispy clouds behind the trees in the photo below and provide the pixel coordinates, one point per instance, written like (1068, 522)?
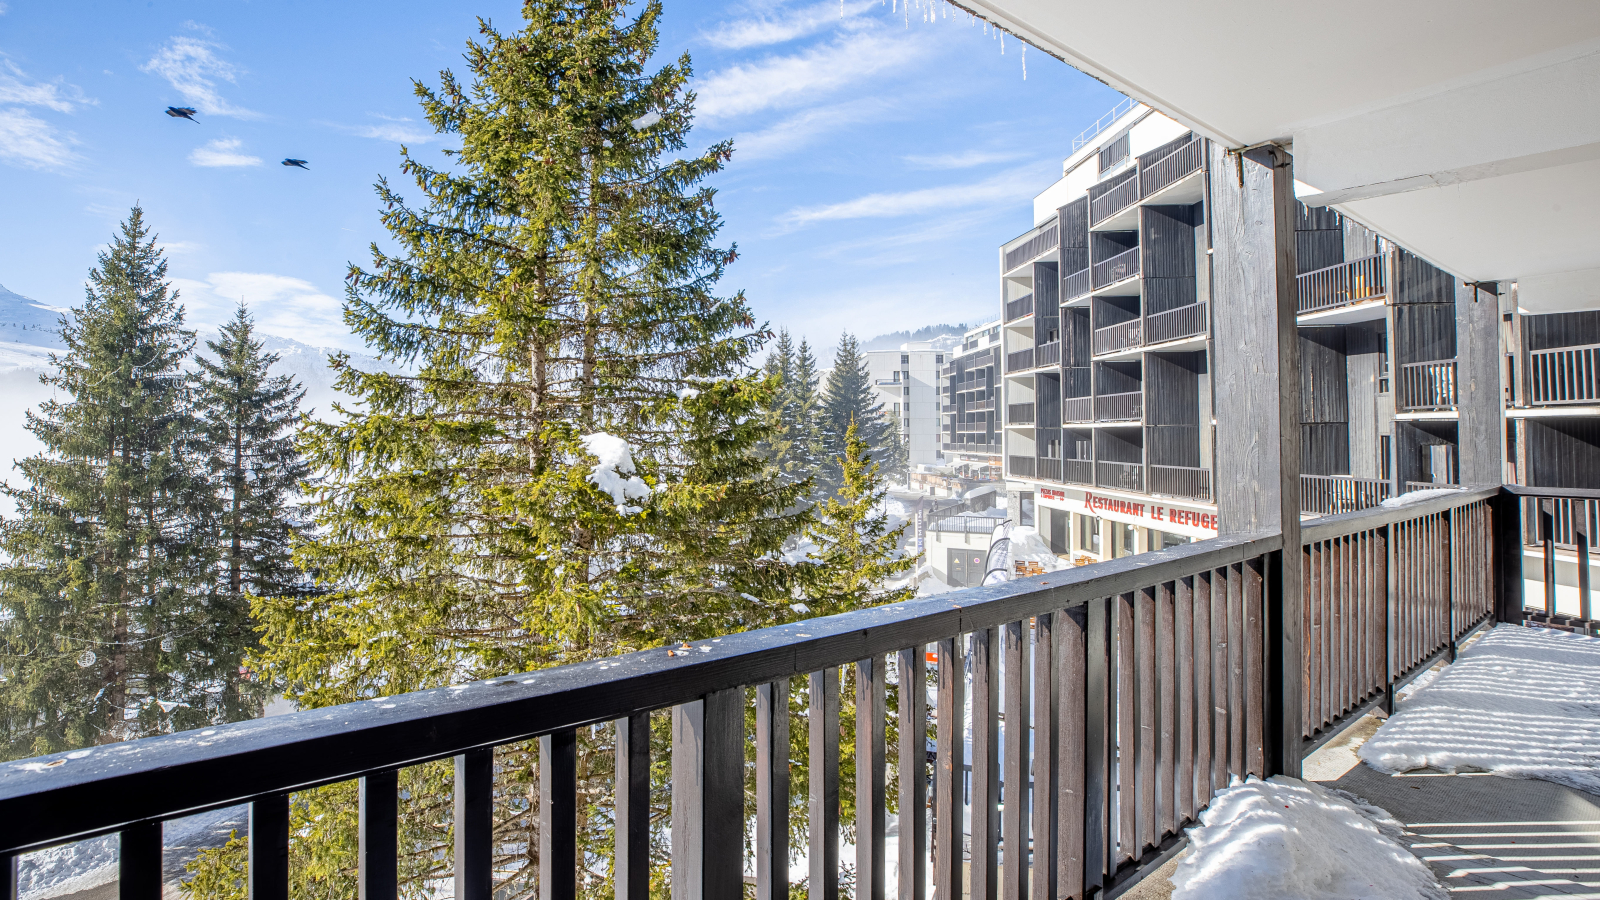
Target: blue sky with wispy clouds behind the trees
(881, 156)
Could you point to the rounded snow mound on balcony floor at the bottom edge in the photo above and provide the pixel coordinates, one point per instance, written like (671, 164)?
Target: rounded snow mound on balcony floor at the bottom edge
(1290, 838)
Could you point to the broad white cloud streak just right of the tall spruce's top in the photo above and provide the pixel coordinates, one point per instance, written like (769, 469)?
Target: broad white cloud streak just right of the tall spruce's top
(802, 78)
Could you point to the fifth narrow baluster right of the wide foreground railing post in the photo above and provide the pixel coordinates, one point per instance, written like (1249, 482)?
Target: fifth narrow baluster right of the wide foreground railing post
(950, 774)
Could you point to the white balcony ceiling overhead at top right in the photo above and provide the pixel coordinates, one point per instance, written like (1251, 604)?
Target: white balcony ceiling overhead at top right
(1466, 131)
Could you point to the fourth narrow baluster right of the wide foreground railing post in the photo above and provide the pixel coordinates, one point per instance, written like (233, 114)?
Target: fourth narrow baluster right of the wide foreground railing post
(913, 776)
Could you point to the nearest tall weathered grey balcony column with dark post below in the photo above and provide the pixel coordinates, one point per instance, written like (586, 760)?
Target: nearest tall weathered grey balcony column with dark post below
(1255, 356)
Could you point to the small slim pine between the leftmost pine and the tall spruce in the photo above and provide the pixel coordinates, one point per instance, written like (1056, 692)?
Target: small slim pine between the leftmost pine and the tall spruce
(247, 419)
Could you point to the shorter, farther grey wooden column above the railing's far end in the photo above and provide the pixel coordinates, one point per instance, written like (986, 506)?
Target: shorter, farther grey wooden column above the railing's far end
(1481, 392)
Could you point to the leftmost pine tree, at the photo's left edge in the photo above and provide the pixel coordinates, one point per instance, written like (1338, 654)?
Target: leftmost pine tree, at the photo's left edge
(108, 625)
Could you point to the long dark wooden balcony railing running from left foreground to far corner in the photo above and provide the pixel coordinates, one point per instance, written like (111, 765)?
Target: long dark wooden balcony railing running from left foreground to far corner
(1188, 624)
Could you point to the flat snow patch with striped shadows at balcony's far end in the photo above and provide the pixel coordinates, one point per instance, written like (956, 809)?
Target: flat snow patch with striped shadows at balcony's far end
(1519, 702)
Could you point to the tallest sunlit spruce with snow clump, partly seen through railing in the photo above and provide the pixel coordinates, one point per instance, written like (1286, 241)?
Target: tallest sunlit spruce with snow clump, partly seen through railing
(569, 464)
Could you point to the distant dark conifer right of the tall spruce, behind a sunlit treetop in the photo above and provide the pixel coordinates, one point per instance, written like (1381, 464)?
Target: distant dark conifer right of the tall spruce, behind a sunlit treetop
(849, 400)
